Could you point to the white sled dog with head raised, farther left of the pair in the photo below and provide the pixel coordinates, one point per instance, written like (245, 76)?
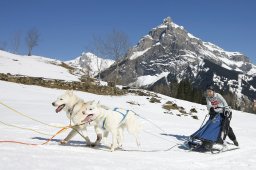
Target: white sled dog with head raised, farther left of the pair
(73, 106)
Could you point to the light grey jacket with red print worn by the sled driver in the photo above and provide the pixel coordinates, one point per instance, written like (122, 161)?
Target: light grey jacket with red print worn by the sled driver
(216, 101)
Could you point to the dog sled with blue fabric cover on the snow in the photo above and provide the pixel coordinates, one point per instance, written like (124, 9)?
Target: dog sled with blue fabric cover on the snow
(210, 137)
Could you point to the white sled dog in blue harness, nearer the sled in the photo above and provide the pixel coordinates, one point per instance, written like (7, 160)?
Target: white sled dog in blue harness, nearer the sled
(113, 121)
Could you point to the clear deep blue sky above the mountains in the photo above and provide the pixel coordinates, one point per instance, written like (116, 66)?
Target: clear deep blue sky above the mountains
(66, 27)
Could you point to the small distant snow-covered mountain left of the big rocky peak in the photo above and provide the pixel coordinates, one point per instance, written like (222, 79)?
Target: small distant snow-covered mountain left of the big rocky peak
(90, 64)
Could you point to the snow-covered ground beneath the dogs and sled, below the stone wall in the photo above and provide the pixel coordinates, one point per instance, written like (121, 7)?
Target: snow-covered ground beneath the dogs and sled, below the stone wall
(154, 154)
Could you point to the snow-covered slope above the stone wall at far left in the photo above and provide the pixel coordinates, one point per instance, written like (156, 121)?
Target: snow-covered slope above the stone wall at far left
(34, 66)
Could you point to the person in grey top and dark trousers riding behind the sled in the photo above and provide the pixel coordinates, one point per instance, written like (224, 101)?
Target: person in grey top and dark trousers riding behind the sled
(215, 105)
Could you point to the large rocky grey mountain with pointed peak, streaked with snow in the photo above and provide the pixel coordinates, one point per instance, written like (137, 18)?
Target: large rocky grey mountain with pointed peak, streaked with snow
(169, 53)
